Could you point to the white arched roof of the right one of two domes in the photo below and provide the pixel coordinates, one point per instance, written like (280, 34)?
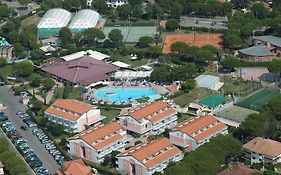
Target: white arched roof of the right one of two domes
(84, 19)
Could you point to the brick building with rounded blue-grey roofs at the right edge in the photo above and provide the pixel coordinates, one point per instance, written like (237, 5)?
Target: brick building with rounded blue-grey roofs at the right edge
(264, 49)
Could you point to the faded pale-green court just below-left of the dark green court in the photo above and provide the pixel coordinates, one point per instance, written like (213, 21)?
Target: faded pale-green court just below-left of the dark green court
(235, 113)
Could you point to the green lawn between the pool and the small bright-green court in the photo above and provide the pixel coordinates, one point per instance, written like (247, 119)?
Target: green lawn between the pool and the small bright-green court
(191, 96)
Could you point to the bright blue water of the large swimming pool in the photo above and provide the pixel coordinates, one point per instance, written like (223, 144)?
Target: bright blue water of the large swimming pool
(124, 94)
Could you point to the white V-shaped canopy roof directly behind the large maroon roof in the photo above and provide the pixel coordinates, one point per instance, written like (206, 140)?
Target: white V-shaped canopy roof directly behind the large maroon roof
(93, 54)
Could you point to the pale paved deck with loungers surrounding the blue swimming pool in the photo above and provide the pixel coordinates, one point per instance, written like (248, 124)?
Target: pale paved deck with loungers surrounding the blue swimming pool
(90, 94)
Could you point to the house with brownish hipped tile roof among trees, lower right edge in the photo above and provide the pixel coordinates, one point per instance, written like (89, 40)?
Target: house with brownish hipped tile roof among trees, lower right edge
(261, 150)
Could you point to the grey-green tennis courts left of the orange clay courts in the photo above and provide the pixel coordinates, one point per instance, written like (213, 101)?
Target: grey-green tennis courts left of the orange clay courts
(131, 34)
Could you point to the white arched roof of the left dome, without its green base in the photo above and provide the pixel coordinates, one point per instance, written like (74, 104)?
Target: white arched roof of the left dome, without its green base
(55, 18)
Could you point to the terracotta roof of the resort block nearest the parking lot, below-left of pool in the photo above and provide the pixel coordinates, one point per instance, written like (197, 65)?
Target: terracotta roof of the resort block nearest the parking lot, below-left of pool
(75, 108)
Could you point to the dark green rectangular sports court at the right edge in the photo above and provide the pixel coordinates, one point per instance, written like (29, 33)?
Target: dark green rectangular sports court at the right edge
(257, 100)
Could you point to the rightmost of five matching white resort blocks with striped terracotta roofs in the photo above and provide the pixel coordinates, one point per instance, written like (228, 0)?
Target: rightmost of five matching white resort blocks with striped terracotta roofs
(196, 131)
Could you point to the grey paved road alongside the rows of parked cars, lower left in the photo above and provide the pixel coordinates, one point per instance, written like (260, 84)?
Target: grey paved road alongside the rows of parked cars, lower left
(11, 101)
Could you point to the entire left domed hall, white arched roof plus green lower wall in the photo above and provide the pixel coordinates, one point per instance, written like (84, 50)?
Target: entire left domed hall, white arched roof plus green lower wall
(52, 21)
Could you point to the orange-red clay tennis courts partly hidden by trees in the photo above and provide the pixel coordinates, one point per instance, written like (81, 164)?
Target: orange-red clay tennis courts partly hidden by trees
(198, 40)
